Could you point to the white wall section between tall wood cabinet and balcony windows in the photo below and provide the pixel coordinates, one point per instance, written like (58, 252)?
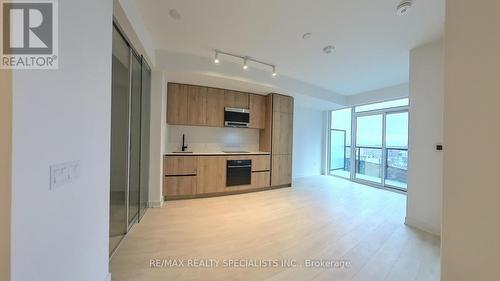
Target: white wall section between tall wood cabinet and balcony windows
(308, 141)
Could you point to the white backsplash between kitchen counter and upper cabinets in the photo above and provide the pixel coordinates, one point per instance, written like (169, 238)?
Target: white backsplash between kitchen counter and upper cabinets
(212, 139)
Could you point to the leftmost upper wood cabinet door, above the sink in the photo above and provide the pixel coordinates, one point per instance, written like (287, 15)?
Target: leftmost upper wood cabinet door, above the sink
(177, 104)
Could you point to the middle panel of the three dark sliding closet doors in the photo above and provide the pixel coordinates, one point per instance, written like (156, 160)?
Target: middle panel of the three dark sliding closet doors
(135, 139)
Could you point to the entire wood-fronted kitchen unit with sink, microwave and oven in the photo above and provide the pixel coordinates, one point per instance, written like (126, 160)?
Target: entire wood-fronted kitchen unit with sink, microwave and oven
(224, 142)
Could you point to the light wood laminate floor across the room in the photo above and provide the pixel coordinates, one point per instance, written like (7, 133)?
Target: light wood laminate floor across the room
(319, 218)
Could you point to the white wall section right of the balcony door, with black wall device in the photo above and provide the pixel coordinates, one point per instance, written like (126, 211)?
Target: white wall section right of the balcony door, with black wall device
(425, 167)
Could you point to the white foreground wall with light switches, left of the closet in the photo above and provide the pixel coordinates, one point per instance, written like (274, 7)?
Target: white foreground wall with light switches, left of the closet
(59, 116)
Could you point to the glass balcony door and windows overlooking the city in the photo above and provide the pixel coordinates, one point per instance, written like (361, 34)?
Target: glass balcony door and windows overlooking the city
(379, 144)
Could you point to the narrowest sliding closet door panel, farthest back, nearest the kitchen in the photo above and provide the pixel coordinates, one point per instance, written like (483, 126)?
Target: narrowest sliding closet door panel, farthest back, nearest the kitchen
(145, 131)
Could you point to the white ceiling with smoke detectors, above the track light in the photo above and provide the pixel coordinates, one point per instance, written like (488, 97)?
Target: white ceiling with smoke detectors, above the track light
(372, 42)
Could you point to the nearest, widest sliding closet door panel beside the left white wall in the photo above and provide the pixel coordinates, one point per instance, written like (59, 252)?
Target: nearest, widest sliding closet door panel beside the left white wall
(120, 99)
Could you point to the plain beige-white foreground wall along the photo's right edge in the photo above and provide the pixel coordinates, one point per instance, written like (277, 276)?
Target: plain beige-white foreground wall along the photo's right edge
(471, 194)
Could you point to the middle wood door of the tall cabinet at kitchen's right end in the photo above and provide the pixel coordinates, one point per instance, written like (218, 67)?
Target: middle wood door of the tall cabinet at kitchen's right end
(282, 133)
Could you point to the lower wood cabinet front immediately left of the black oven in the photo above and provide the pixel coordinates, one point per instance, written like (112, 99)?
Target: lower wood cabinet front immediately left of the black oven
(211, 174)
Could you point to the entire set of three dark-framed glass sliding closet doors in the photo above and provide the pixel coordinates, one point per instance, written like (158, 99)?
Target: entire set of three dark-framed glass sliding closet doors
(130, 130)
